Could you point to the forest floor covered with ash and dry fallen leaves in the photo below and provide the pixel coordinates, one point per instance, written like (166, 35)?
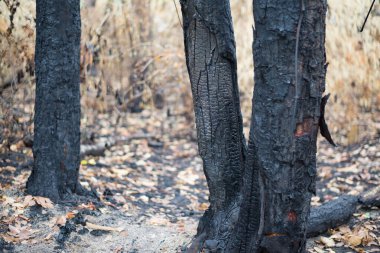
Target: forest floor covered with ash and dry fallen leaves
(148, 193)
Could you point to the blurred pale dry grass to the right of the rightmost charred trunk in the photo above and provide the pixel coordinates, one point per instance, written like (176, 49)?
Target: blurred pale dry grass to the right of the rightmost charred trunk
(353, 76)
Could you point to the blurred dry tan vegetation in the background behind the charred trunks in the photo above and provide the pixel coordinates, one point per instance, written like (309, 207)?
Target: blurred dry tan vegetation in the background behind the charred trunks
(132, 61)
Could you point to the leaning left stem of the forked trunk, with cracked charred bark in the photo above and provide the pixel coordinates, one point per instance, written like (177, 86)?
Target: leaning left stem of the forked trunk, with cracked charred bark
(211, 61)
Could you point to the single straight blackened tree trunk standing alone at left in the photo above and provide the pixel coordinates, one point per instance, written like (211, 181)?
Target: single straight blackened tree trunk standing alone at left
(57, 106)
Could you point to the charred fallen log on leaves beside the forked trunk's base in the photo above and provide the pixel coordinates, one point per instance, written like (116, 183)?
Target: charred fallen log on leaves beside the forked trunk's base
(339, 211)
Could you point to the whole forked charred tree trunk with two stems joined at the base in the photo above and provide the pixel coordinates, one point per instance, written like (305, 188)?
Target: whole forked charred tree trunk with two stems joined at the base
(269, 212)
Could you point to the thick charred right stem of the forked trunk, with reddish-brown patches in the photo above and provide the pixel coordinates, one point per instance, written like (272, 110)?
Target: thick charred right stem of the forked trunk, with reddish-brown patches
(280, 180)
